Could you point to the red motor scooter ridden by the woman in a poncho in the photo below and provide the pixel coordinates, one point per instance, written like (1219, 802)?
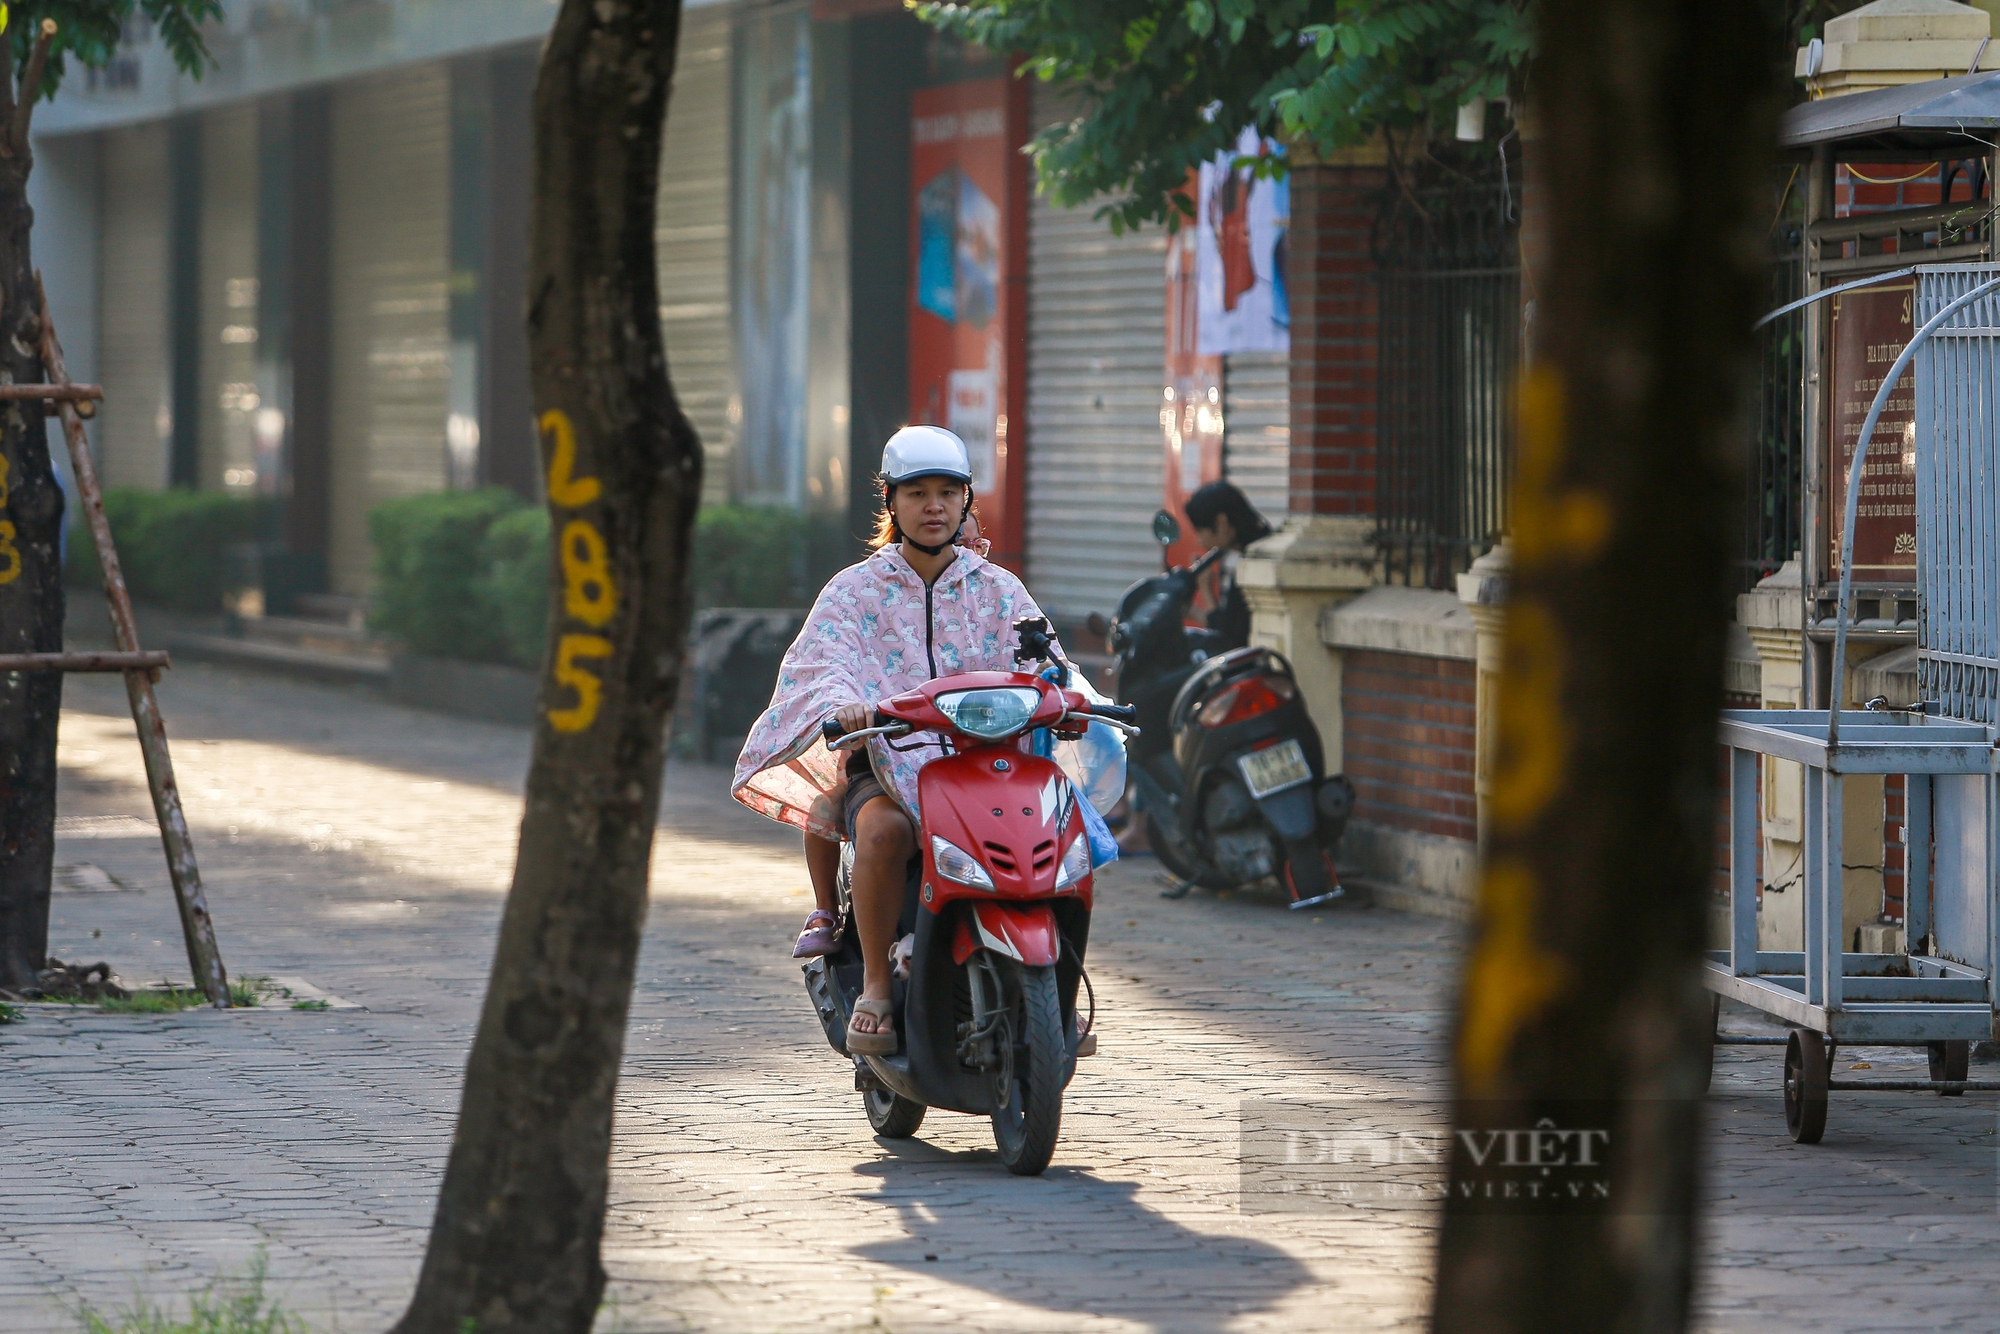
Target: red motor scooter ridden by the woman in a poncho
(999, 905)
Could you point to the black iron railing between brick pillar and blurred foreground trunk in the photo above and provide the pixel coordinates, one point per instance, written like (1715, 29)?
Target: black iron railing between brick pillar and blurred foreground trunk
(1449, 345)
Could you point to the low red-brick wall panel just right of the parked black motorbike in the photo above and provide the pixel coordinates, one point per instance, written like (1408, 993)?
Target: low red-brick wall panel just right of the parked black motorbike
(1409, 737)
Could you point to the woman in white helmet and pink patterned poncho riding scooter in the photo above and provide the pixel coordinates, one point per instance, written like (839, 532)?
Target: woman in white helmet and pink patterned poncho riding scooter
(913, 611)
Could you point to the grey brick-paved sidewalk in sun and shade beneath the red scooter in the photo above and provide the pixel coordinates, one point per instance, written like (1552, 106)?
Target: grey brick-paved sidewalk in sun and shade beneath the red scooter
(365, 849)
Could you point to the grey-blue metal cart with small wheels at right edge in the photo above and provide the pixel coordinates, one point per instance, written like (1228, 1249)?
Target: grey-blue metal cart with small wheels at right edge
(1939, 993)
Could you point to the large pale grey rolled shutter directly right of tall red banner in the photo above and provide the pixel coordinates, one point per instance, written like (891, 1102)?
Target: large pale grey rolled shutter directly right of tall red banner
(1097, 335)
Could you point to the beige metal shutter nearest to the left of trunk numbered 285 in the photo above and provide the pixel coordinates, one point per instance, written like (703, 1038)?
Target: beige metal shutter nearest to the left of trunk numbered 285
(393, 345)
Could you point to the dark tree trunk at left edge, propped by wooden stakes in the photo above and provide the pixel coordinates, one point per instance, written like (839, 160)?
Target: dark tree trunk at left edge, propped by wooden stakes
(31, 593)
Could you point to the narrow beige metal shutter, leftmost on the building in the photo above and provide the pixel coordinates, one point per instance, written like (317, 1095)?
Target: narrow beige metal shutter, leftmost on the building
(133, 339)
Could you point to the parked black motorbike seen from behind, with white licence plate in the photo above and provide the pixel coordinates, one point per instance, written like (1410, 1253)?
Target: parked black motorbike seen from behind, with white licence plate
(1227, 769)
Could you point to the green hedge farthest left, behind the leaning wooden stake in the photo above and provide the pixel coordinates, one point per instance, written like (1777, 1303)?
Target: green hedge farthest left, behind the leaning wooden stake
(173, 545)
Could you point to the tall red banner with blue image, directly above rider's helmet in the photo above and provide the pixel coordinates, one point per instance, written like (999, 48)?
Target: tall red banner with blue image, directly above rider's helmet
(967, 315)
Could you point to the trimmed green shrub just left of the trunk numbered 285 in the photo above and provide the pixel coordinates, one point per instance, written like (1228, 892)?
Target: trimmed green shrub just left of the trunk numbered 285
(427, 563)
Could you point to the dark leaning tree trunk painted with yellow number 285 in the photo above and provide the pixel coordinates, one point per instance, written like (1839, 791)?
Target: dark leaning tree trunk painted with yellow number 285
(515, 1245)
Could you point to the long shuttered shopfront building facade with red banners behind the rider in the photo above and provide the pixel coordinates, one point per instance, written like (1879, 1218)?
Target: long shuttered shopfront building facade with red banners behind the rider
(301, 279)
